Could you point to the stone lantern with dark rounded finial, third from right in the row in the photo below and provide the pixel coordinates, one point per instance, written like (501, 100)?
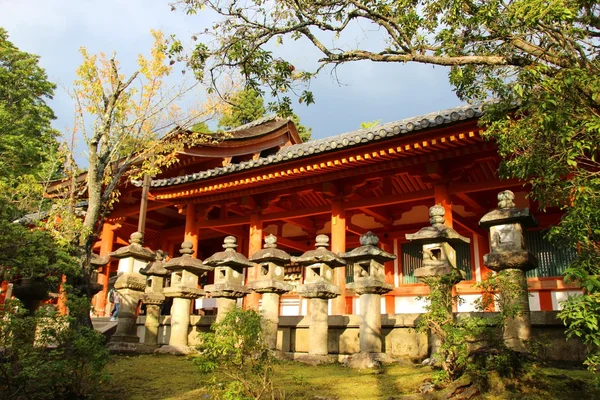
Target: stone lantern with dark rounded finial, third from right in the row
(369, 282)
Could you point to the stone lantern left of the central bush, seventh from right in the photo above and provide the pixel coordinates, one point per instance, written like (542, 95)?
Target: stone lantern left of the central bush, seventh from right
(185, 273)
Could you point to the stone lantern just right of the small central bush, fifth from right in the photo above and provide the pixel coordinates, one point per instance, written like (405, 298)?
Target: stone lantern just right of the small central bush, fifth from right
(271, 285)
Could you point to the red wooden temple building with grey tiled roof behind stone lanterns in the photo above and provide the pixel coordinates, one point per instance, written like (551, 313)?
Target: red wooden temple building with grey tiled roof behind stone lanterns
(262, 180)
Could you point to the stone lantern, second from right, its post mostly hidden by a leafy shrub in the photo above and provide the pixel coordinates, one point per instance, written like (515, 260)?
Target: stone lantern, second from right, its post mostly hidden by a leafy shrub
(439, 269)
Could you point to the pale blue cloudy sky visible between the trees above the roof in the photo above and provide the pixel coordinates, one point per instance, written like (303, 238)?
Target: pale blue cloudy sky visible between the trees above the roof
(56, 29)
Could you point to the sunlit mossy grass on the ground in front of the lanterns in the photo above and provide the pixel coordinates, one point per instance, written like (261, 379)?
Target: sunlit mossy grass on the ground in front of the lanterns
(149, 377)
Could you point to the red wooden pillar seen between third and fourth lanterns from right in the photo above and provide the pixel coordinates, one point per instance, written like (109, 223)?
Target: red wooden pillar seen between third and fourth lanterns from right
(338, 245)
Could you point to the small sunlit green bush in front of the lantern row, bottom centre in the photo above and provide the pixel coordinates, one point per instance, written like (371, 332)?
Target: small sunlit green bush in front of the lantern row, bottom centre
(235, 353)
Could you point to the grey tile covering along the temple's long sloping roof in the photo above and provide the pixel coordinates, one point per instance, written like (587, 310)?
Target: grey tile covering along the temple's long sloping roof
(350, 139)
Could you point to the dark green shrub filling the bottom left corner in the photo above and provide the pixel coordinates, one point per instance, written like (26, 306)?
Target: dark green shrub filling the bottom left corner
(46, 356)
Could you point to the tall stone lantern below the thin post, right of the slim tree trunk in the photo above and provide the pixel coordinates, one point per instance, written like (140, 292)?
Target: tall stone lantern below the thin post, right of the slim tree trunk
(130, 285)
